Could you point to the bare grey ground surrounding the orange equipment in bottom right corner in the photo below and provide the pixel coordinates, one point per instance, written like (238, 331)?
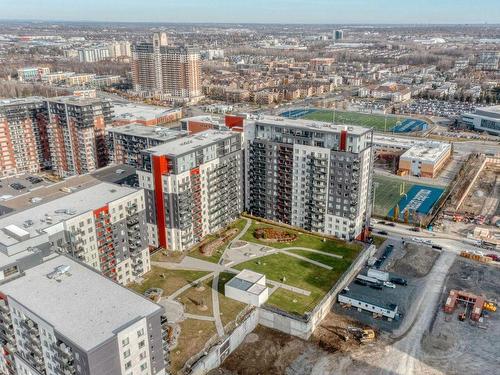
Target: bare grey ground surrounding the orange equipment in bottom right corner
(455, 347)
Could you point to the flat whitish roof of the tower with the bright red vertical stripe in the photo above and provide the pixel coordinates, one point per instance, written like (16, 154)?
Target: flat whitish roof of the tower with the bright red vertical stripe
(184, 145)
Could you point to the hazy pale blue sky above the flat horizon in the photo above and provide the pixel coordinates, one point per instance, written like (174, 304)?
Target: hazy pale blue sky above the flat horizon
(256, 11)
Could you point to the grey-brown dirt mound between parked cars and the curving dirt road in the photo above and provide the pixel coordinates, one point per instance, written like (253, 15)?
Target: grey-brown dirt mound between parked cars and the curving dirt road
(417, 261)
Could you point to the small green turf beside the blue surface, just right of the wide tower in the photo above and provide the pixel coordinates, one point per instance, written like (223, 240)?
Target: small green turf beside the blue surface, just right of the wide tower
(387, 194)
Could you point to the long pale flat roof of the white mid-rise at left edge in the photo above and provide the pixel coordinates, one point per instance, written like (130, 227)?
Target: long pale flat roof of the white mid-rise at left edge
(20, 225)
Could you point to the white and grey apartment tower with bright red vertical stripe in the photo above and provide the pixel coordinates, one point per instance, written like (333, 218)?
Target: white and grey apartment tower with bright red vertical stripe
(193, 187)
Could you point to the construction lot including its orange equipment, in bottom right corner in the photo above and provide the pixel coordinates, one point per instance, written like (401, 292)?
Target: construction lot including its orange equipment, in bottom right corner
(463, 337)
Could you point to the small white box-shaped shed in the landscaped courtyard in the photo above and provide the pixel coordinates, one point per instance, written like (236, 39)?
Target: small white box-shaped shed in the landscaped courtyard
(247, 287)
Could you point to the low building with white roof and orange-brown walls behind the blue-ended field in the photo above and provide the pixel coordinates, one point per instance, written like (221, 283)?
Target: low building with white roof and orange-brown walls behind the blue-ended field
(425, 159)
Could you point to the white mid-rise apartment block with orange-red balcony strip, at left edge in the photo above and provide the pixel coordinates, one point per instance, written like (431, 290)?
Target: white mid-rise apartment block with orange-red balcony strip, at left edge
(103, 226)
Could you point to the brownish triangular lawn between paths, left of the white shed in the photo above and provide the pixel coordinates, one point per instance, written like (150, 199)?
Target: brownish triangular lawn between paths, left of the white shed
(168, 280)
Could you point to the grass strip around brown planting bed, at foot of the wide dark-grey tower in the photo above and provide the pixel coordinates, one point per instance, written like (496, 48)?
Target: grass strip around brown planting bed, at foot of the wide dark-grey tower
(311, 241)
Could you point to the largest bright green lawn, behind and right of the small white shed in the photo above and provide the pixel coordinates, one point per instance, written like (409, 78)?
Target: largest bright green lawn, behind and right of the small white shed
(298, 273)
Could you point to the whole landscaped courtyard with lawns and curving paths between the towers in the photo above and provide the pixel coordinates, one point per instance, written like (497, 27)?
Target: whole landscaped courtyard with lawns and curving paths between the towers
(300, 268)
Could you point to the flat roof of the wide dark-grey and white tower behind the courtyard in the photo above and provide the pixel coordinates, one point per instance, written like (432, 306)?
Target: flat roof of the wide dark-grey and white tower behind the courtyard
(310, 124)
